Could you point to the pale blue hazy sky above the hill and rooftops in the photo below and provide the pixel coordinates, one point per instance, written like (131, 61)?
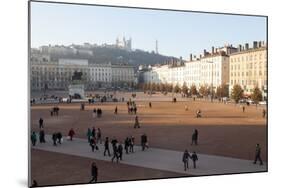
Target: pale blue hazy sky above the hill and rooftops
(178, 33)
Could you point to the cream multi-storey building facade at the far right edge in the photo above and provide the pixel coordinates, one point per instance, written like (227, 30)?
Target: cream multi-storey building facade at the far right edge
(248, 68)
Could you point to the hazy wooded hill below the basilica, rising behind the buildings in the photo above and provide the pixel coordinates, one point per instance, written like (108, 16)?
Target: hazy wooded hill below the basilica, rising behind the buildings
(117, 55)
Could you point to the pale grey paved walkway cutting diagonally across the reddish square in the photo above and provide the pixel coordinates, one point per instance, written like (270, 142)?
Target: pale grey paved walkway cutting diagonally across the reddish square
(155, 158)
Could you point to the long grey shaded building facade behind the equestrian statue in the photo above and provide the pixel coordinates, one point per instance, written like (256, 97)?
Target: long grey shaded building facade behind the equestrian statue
(57, 75)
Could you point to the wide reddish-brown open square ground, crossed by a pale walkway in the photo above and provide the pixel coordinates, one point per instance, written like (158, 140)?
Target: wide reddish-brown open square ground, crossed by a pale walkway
(224, 131)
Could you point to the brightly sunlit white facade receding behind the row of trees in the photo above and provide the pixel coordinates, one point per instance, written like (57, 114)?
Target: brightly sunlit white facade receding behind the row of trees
(210, 69)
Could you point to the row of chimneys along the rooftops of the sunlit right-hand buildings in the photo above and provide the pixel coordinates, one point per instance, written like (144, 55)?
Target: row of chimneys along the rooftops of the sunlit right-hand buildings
(256, 44)
